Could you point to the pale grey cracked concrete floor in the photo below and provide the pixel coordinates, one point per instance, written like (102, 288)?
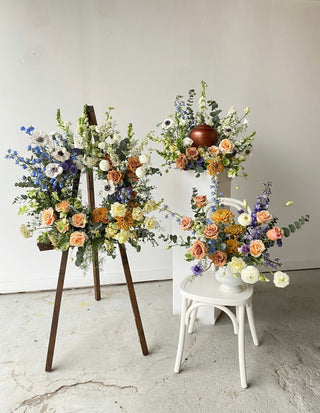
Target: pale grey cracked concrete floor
(99, 368)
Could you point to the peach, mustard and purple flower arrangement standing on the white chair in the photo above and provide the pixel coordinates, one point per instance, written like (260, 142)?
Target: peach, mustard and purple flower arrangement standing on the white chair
(238, 244)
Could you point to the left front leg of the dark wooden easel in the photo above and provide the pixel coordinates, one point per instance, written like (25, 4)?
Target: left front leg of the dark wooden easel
(56, 310)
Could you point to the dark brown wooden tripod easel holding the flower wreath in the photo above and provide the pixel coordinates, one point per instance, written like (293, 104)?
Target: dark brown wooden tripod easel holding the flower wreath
(95, 267)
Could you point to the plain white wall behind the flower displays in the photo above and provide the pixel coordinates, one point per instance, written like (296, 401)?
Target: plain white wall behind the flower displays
(136, 56)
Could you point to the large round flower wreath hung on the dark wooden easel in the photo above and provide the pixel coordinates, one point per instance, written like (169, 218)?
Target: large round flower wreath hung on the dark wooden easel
(51, 200)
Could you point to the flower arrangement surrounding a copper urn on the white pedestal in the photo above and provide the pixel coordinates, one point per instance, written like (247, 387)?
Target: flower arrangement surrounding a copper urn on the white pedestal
(202, 140)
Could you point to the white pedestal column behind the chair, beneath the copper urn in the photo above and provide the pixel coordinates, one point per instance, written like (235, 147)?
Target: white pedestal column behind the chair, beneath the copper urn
(182, 184)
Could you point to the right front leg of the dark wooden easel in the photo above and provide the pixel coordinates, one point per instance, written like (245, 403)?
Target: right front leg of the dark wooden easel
(133, 299)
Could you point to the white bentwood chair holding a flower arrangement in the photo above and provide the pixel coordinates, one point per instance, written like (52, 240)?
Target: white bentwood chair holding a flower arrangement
(205, 291)
